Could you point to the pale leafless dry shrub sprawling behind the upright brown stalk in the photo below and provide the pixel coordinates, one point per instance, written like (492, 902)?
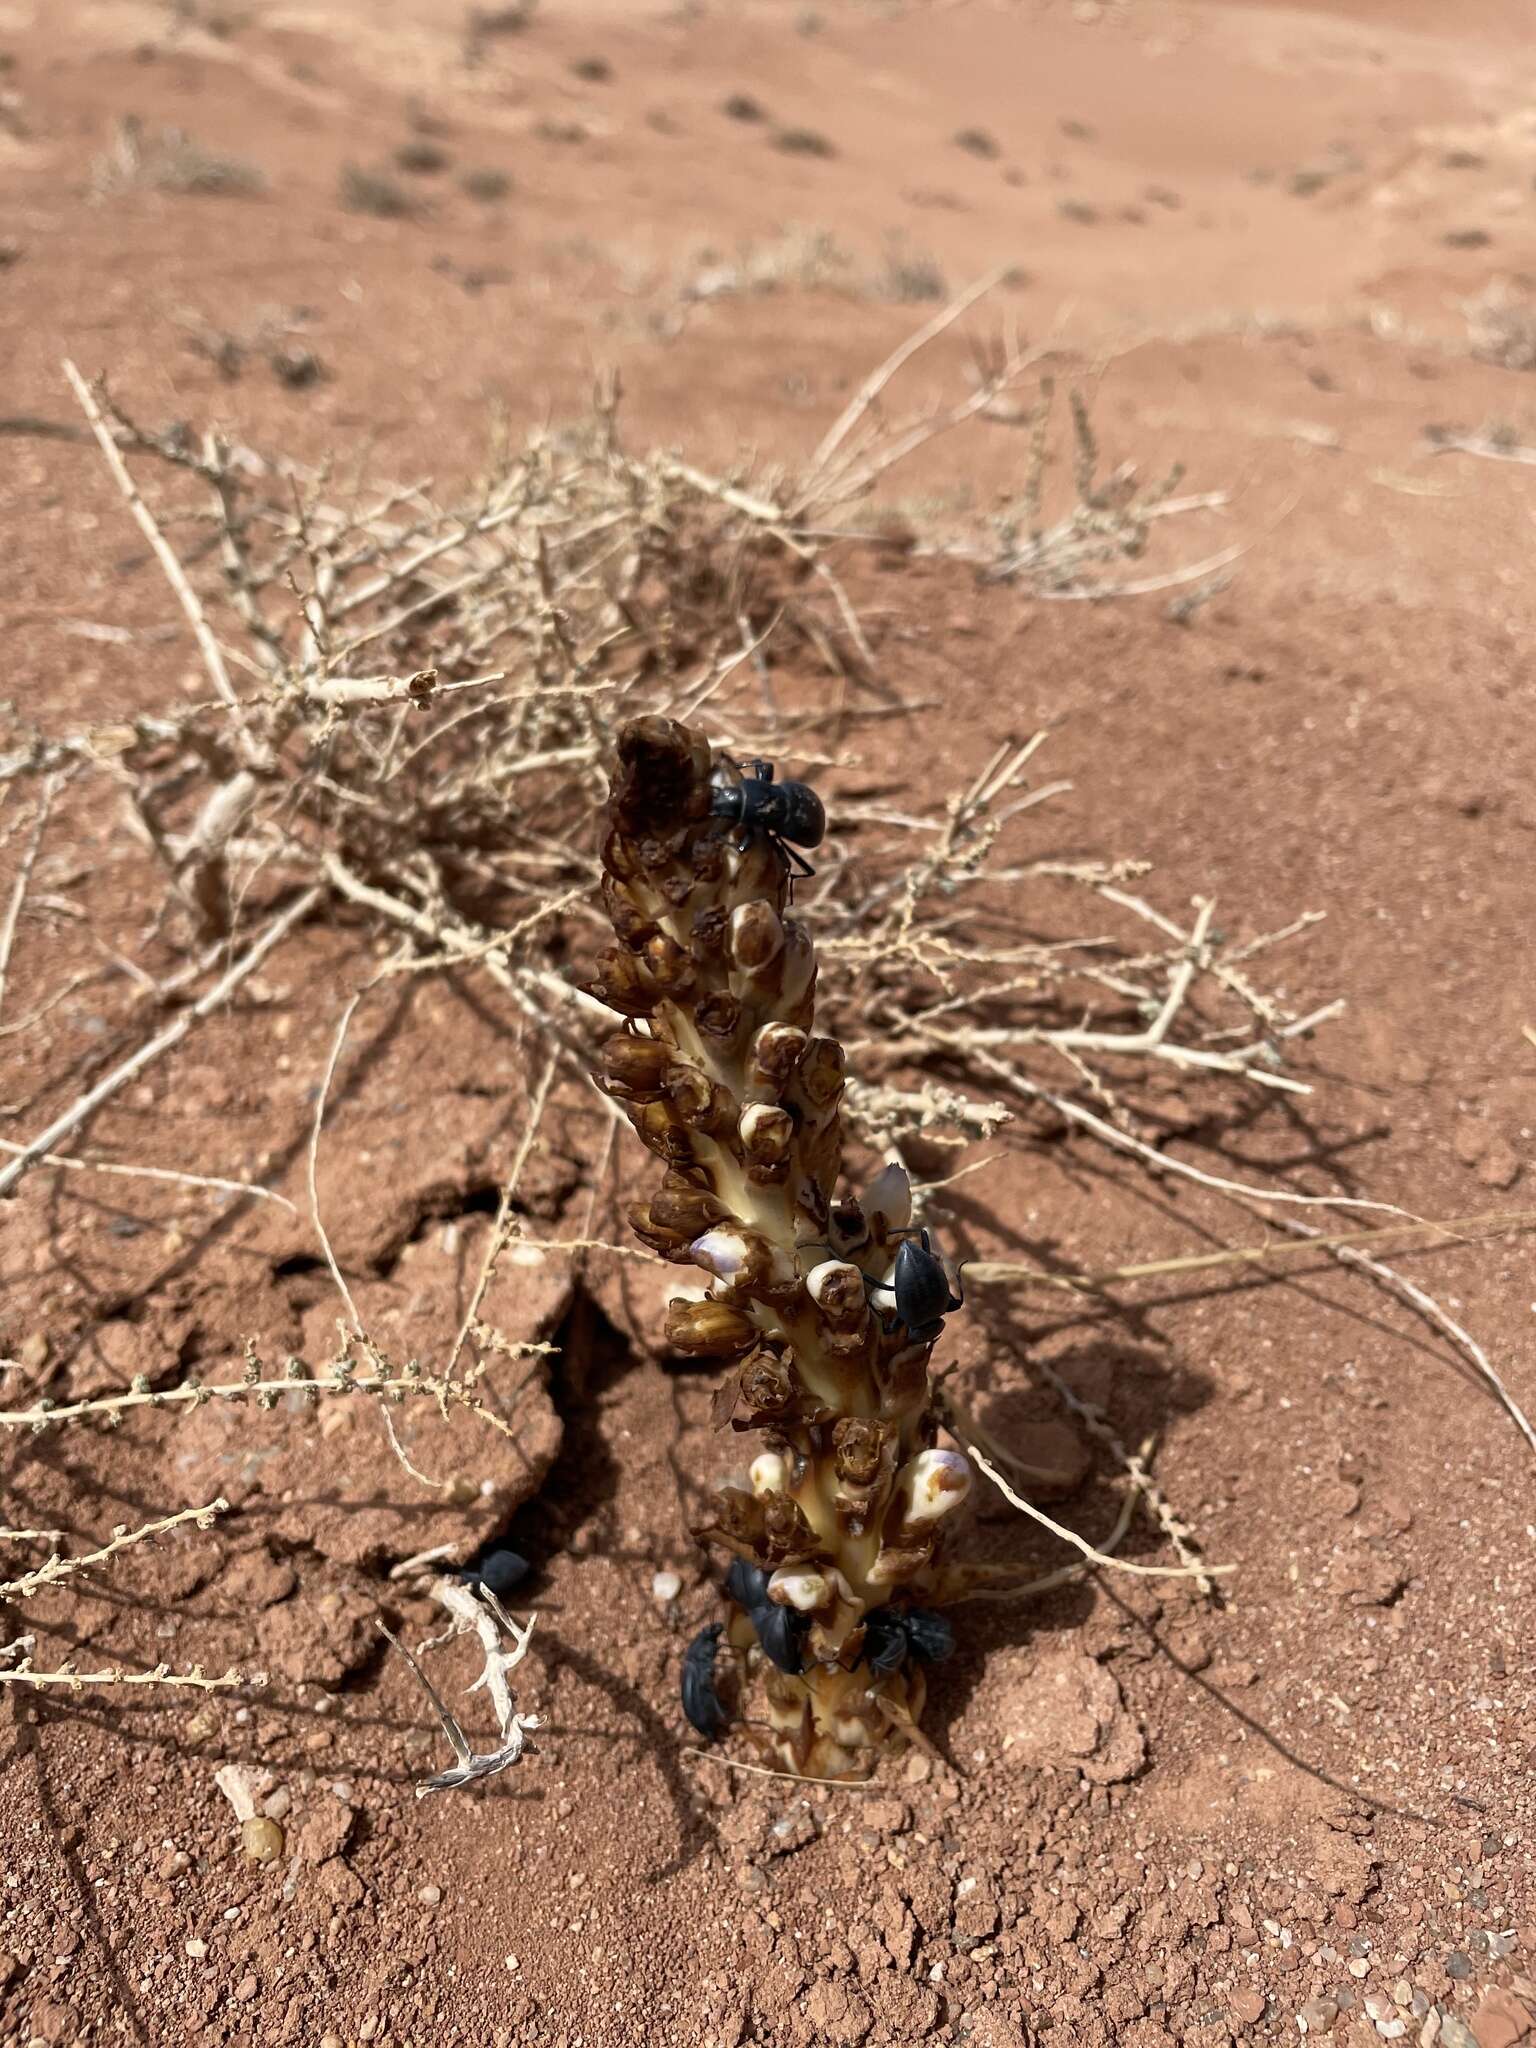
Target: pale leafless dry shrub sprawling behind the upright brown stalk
(407, 726)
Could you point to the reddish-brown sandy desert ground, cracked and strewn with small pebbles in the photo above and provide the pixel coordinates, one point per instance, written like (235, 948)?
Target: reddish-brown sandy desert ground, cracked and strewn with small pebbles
(1289, 249)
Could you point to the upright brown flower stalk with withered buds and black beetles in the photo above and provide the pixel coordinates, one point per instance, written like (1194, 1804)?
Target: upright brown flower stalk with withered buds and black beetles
(837, 1529)
